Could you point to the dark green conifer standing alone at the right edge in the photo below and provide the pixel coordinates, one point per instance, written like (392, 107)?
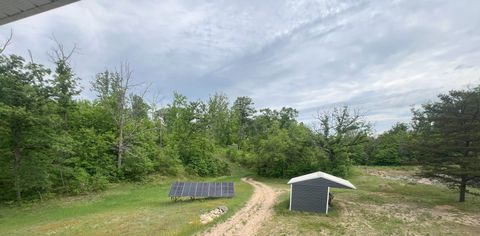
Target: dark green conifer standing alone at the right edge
(448, 139)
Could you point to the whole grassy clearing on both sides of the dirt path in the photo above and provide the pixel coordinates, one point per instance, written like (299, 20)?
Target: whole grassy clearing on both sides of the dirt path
(380, 206)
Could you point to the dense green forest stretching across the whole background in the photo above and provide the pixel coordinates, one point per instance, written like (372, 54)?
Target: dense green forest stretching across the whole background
(52, 142)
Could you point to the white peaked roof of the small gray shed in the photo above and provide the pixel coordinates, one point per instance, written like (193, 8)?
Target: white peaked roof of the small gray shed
(330, 180)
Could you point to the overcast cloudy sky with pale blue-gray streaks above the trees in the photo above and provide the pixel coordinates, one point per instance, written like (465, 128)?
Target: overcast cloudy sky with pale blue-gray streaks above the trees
(379, 56)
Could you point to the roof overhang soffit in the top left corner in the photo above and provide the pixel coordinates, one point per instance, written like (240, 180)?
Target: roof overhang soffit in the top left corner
(12, 10)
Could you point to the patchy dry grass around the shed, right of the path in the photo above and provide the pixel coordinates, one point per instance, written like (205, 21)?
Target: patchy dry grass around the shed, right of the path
(380, 207)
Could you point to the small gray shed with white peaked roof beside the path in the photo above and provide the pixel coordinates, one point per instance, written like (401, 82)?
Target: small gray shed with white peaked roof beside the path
(310, 192)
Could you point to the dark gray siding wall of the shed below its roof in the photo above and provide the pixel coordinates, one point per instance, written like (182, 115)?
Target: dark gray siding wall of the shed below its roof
(309, 198)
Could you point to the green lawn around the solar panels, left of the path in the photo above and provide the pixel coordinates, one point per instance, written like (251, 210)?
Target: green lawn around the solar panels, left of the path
(124, 209)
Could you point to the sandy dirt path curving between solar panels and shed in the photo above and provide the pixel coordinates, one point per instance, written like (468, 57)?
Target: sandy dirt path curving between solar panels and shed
(249, 219)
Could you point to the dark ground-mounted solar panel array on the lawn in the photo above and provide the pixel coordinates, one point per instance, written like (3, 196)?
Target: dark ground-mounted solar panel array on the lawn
(199, 189)
